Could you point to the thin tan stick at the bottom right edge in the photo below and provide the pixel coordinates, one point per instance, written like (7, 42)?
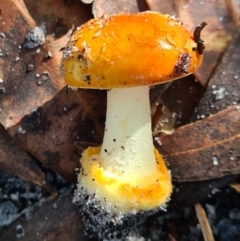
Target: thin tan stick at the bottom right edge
(204, 224)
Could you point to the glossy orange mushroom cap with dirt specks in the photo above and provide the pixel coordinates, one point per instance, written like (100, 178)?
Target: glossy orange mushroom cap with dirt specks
(150, 48)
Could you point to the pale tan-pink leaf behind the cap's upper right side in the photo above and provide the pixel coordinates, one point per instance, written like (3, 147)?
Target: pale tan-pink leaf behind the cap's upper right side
(216, 35)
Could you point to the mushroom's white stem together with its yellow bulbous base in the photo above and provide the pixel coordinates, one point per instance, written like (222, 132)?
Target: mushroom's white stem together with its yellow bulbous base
(126, 174)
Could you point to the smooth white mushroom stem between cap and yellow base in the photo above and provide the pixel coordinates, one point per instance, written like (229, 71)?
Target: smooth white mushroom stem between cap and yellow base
(127, 145)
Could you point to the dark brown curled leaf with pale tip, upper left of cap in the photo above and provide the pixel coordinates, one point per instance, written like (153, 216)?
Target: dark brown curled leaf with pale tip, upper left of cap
(60, 19)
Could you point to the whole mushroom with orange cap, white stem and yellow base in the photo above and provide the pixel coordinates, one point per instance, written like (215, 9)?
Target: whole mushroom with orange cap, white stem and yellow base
(126, 54)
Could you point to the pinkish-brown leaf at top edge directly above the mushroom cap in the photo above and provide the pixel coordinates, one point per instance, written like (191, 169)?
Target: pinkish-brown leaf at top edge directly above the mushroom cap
(118, 6)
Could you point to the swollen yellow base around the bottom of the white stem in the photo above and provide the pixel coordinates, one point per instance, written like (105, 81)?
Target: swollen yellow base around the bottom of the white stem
(124, 194)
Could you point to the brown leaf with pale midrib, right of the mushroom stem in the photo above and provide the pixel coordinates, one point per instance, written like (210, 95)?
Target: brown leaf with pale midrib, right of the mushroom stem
(205, 149)
